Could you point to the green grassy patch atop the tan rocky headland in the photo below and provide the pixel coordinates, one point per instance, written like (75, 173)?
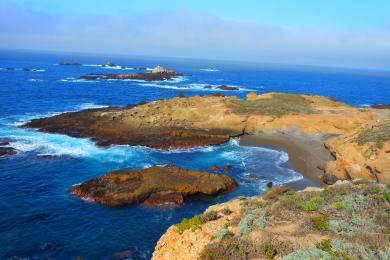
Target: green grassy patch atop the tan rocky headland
(277, 105)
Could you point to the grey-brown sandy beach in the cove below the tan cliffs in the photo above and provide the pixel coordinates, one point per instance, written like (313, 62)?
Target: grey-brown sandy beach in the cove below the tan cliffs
(306, 153)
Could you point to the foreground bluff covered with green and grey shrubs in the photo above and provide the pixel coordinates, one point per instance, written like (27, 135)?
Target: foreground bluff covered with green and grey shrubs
(348, 220)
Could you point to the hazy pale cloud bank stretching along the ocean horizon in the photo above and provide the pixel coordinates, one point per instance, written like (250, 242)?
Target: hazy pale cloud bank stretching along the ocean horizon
(193, 35)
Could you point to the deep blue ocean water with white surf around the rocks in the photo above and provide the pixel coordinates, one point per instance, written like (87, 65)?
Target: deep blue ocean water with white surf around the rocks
(39, 219)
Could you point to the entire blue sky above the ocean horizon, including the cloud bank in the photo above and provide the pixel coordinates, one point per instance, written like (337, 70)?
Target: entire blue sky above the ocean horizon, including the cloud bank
(353, 34)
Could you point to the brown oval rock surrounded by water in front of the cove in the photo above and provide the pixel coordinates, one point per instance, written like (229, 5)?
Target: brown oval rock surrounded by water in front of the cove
(154, 186)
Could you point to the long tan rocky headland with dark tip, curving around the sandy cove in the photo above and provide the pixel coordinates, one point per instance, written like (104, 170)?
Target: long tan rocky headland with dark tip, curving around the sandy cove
(186, 122)
